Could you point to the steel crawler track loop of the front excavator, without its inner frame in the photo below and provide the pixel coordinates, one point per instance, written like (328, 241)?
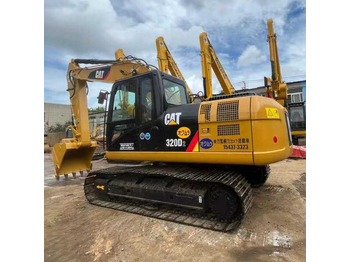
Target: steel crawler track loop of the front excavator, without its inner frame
(229, 178)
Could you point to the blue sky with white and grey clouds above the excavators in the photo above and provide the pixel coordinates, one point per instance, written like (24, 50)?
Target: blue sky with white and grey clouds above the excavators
(236, 28)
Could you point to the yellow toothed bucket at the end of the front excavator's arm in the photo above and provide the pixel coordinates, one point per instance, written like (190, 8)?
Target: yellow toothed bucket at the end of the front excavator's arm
(68, 157)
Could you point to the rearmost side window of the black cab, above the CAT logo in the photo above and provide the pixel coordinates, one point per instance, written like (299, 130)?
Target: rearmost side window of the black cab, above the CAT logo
(175, 94)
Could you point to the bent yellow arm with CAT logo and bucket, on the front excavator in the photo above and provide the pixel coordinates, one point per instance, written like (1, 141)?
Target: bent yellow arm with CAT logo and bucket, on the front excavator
(75, 155)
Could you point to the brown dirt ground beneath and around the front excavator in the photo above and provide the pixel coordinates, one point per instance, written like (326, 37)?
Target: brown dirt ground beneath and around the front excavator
(274, 229)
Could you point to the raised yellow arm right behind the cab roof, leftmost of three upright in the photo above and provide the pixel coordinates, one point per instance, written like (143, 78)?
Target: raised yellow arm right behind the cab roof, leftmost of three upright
(167, 63)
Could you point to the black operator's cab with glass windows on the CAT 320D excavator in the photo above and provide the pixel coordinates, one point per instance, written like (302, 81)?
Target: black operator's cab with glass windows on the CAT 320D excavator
(137, 108)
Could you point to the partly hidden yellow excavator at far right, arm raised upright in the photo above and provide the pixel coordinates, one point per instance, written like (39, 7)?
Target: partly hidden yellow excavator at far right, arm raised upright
(277, 89)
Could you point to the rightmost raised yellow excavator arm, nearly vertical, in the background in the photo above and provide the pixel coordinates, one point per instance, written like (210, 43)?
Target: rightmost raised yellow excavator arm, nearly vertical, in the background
(275, 87)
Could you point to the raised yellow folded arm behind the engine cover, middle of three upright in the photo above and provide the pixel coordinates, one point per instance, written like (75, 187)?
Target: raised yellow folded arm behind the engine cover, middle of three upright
(211, 61)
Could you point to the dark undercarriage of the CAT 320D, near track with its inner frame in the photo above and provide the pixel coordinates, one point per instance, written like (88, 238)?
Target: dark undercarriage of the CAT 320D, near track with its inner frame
(213, 198)
